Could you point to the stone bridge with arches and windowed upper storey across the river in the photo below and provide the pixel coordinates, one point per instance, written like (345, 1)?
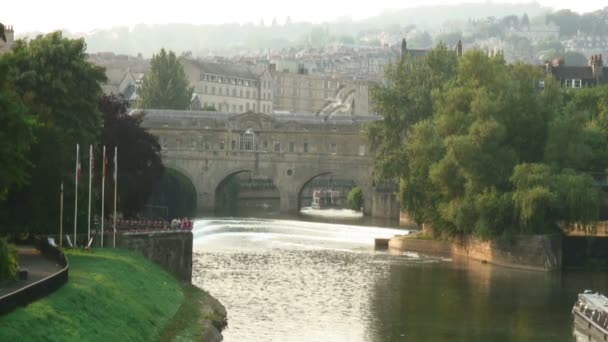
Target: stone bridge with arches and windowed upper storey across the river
(291, 149)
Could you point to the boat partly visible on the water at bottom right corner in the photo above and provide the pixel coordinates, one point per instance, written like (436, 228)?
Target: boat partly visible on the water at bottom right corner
(591, 316)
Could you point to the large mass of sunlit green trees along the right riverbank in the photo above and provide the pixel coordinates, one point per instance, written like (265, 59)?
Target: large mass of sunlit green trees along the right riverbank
(490, 153)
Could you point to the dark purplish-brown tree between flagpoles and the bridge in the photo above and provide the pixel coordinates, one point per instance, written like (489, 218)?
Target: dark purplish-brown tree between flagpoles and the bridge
(140, 166)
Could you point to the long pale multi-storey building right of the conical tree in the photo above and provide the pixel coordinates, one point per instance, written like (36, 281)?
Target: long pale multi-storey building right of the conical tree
(227, 87)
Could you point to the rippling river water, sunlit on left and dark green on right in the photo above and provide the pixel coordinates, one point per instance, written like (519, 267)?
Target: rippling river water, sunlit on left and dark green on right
(293, 280)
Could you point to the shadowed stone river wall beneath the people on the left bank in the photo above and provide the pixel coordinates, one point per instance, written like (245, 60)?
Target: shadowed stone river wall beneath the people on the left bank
(171, 250)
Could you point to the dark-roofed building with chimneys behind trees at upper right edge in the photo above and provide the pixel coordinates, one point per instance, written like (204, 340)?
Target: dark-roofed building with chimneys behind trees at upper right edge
(578, 76)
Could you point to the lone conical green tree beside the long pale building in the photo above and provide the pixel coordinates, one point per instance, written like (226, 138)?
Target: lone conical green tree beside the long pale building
(166, 85)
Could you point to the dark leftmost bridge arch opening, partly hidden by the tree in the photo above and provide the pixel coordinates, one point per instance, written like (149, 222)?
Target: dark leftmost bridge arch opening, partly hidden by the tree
(173, 196)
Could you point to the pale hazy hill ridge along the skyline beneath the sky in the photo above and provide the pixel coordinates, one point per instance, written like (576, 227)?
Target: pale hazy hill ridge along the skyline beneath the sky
(229, 39)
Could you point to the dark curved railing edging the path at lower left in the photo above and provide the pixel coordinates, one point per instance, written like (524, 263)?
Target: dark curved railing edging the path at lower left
(42, 287)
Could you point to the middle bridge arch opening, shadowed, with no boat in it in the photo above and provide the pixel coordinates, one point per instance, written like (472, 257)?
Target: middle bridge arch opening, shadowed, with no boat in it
(246, 193)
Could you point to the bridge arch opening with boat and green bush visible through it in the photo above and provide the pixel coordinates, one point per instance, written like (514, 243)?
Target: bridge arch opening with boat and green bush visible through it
(331, 193)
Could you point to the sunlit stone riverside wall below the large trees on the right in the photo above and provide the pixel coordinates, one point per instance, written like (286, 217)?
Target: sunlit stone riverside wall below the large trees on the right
(536, 252)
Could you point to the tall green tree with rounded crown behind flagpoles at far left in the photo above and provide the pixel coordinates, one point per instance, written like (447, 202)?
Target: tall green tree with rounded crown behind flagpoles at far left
(51, 75)
